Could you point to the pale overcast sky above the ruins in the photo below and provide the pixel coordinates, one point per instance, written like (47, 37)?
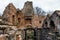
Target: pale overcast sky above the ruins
(44, 4)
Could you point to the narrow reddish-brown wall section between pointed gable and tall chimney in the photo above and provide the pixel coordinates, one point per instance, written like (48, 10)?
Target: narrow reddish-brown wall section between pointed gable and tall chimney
(20, 19)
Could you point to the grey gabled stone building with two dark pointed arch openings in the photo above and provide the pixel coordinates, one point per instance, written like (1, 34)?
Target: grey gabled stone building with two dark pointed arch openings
(52, 21)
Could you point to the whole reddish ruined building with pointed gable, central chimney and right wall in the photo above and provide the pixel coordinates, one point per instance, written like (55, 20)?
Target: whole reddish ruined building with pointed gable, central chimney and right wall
(22, 18)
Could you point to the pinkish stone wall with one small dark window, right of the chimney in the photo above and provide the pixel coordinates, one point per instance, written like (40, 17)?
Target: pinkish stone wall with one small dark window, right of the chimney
(37, 21)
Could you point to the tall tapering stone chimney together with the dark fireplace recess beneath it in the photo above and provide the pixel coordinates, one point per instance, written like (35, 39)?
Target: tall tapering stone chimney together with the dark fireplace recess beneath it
(28, 13)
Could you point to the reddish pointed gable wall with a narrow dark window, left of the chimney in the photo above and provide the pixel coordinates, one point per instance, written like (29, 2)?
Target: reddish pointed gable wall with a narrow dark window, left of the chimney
(9, 14)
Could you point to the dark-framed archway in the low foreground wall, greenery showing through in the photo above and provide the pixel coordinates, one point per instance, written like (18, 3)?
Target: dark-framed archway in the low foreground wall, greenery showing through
(29, 33)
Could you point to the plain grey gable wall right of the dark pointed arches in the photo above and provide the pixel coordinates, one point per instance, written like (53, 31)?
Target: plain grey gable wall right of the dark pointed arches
(56, 18)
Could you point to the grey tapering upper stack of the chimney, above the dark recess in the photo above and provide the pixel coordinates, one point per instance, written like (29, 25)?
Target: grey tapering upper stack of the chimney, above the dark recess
(28, 9)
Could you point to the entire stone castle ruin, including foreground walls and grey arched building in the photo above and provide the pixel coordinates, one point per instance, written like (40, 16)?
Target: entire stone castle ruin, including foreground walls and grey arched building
(24, 24)
